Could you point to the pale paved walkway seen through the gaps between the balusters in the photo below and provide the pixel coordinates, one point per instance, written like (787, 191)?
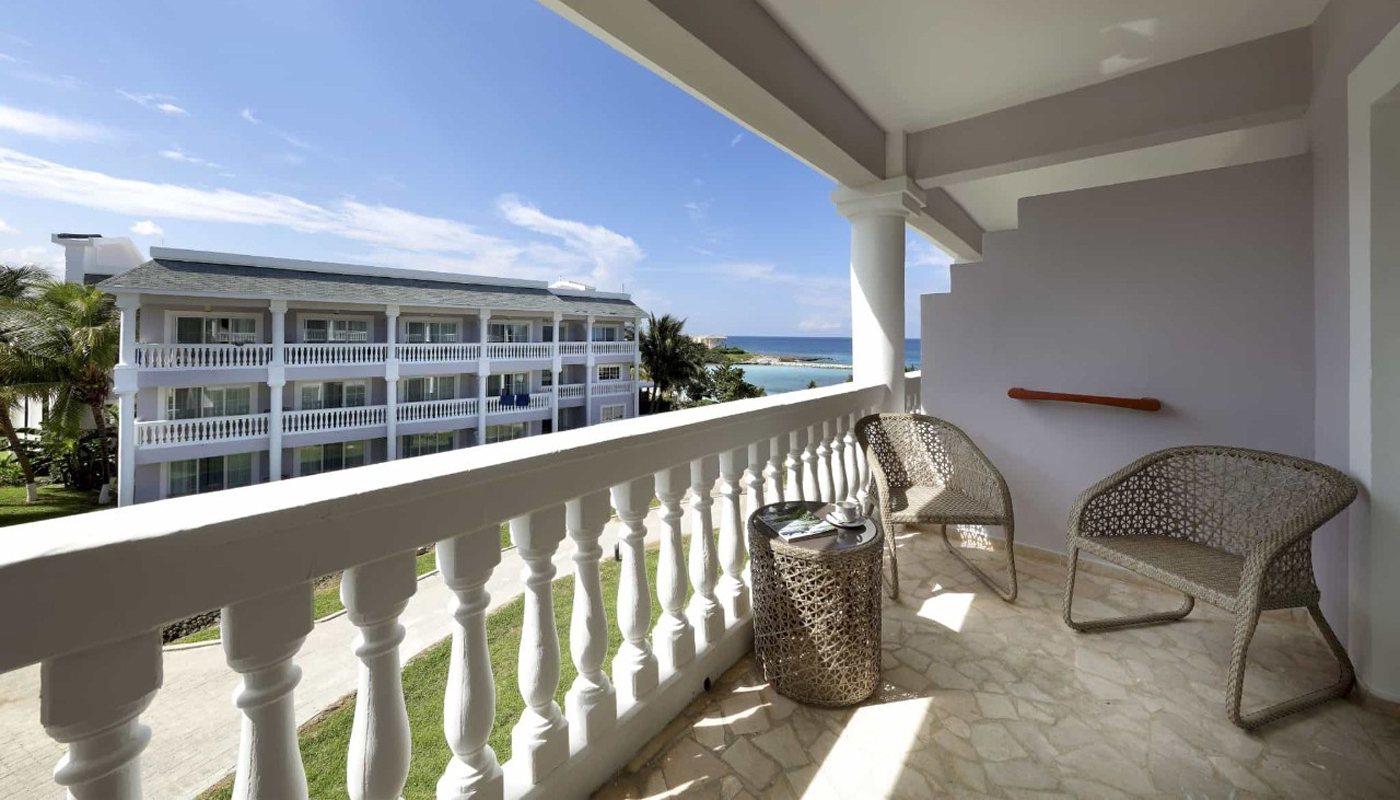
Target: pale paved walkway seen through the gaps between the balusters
(194, 722)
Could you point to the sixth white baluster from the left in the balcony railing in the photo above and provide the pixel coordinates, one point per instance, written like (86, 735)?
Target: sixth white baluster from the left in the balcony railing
(591, 701)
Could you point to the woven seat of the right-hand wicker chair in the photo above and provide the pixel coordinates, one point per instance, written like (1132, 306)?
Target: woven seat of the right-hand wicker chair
(1193, 568)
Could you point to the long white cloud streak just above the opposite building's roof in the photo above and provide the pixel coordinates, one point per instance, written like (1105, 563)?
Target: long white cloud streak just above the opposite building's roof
(568, 249)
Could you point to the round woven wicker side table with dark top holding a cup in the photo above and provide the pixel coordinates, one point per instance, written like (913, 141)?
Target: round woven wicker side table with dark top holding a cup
(817, 610)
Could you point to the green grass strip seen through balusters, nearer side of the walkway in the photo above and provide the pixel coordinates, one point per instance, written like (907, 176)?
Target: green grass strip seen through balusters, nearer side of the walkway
(325, 742)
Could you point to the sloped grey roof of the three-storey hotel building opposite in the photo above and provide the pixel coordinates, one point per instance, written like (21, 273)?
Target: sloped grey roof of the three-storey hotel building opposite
(169, 277)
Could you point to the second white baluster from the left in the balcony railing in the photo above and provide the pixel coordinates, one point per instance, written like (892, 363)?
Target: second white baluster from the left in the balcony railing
(261, 638)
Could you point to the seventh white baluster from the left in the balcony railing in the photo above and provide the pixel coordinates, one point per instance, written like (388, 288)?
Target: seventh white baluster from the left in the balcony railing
(635, 666)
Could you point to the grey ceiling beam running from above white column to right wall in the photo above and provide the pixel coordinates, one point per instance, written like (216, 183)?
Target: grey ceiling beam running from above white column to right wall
(1244, 86)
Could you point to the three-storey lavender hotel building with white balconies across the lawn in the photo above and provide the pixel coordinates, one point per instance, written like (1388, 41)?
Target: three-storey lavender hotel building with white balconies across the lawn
(240, 371)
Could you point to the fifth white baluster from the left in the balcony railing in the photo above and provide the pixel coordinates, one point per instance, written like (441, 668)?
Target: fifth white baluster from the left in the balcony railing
(540, 740)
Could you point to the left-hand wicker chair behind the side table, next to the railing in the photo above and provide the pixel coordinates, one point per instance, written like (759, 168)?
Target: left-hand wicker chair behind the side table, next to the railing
(927, 471)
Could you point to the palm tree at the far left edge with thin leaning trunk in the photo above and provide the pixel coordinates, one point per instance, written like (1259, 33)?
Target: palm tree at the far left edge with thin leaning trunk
(22, 376)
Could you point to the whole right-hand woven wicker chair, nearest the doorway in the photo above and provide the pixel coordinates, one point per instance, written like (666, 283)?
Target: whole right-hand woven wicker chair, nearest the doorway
(1227, 526)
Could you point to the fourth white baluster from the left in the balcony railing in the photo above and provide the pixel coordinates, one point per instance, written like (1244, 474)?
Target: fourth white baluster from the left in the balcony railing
(470, 704)
